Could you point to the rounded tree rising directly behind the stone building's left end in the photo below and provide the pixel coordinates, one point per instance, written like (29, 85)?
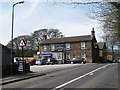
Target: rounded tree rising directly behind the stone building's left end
(39, 35)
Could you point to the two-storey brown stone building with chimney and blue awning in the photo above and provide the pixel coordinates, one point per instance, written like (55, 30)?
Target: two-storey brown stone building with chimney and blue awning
(82, 47)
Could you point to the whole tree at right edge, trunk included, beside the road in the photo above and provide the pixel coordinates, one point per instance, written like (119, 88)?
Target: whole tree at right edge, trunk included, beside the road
(109, 15)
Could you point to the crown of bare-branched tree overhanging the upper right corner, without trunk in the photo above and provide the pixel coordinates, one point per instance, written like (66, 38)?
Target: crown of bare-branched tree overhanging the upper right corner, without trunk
(109, 16)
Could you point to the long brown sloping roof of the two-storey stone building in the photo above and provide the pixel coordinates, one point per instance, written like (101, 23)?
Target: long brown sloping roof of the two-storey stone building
(67, 39)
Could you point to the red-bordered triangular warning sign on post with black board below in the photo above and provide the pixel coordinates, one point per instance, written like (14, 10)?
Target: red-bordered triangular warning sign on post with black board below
(21, 63)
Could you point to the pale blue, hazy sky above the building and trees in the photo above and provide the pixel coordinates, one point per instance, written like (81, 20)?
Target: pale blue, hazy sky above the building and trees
(33, 15)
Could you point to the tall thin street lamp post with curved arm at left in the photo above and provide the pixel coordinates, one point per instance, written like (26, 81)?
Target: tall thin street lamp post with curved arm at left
(20, 2)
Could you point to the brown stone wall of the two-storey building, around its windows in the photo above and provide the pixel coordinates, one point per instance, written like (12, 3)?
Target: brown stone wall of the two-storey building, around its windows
(75, 51)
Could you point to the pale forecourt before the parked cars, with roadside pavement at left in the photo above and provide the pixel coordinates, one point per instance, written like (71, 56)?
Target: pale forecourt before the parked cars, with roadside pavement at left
(36, 71)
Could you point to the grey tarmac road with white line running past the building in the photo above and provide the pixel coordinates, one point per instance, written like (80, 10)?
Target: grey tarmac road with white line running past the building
(84, 76)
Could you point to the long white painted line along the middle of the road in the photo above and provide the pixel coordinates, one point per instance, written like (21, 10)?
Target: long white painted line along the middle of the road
(89, 73)
